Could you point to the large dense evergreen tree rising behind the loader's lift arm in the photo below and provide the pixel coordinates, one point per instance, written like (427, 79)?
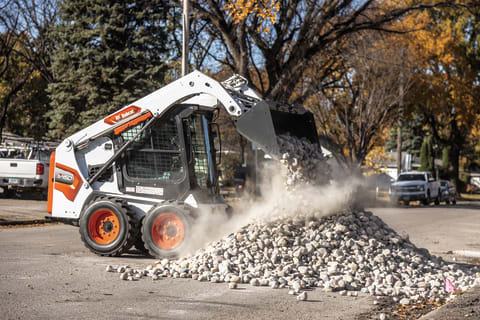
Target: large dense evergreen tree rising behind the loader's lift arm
(107, 54)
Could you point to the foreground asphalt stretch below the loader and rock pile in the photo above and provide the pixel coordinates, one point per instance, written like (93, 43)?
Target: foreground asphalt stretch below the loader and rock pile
(46, 273)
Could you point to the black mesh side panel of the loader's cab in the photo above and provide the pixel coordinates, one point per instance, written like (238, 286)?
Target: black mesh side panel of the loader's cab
(155, 164)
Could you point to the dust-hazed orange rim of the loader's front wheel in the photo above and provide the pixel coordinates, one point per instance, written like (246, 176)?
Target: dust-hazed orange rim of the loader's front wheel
(168, 231)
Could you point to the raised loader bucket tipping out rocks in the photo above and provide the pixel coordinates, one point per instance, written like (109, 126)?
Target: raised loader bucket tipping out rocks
(266, 120)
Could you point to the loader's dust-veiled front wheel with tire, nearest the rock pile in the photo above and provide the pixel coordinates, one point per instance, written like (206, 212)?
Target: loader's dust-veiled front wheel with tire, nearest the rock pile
(166, 230)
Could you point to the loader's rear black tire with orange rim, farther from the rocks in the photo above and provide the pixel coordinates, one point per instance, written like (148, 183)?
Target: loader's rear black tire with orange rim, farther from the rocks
(105, 227)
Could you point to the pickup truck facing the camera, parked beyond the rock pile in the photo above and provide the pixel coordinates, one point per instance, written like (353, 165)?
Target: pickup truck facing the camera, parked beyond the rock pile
(415, 186)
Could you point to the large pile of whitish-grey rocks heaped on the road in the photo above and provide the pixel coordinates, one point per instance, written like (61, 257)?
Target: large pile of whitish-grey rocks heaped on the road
(349, 252)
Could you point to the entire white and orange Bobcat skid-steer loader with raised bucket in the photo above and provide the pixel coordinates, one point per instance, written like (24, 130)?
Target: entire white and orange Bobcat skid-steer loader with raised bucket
(142, 175)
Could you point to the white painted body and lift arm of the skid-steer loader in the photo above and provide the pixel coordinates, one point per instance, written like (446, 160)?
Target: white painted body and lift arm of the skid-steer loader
(75, 152)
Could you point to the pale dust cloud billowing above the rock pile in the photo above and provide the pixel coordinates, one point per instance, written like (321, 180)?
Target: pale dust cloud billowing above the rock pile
(278, 201)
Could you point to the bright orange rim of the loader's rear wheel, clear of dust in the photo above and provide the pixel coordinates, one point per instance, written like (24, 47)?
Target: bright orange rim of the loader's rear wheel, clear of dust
(103, 226)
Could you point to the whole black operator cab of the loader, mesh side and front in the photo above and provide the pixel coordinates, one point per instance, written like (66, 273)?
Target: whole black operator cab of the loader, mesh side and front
(174, 157)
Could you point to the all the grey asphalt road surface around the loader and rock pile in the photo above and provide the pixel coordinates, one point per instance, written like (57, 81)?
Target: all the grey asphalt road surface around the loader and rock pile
(47, 273)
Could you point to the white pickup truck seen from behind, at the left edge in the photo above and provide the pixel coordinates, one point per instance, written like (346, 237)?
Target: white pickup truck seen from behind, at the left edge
(24, 168)
